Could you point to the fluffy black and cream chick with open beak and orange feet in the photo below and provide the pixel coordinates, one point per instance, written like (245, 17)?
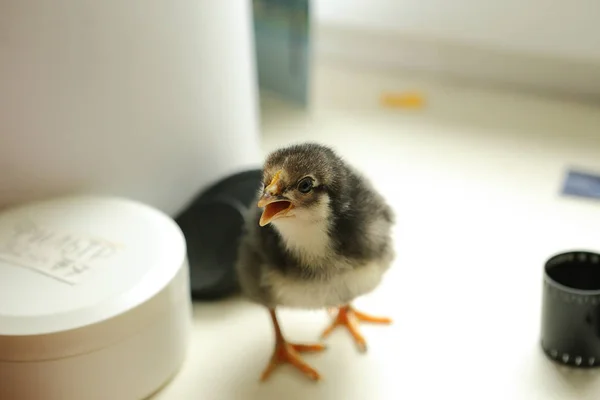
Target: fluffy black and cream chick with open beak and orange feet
(322, 239)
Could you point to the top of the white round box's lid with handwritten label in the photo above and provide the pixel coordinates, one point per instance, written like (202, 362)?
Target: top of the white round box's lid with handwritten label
(71, 263)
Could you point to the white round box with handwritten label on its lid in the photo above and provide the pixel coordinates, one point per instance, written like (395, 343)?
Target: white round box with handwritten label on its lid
(94, 300)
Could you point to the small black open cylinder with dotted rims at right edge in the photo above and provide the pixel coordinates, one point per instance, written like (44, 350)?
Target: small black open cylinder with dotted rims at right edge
(570, 332)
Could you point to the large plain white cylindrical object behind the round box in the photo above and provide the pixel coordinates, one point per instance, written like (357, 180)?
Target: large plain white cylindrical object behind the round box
(151, 100)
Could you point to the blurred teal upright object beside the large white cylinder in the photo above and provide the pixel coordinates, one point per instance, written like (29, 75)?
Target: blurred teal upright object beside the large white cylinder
(282, 40)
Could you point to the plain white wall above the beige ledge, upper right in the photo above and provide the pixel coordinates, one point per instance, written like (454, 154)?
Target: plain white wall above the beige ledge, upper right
(544, 27)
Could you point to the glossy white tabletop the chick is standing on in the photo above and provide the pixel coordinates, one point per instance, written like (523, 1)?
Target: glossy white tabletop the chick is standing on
(474, 178)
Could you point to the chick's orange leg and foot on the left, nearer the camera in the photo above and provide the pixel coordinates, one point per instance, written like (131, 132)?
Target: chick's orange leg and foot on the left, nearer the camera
(289, 353)
